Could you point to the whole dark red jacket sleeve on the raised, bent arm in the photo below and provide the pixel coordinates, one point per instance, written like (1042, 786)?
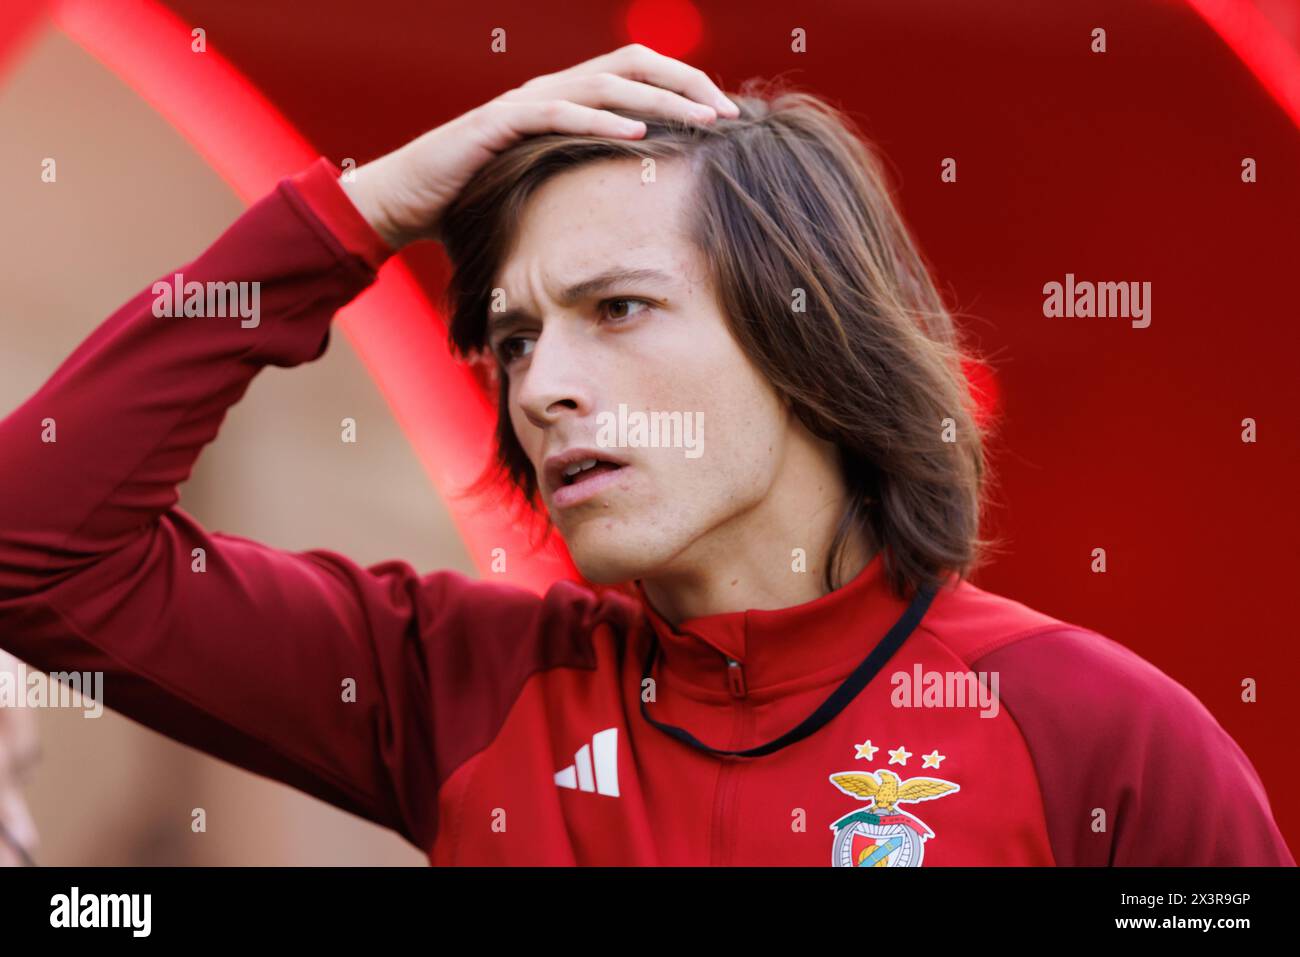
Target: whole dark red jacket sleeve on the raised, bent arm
(304, 668)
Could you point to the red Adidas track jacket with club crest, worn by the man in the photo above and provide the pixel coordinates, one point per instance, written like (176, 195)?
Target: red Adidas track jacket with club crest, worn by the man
(497, 728)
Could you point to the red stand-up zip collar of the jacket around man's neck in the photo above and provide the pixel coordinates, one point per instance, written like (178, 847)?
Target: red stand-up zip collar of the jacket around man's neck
(746, 653)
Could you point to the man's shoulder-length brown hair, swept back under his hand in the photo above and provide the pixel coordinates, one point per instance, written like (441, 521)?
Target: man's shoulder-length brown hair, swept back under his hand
(788, 197)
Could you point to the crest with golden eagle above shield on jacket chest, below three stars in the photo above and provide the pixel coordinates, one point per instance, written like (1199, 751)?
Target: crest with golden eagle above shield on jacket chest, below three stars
(883, 835)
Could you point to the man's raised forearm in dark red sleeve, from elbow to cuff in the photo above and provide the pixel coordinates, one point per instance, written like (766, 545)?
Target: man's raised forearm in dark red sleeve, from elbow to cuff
(102, 447)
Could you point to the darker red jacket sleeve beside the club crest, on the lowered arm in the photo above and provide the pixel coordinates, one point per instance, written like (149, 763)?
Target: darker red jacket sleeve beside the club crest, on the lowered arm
(1132, 767)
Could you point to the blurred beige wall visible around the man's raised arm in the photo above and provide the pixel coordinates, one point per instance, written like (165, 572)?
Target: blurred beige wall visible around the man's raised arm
(133, 202)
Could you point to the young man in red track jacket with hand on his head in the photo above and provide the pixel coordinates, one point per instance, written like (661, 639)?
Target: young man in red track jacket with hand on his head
(765, 692)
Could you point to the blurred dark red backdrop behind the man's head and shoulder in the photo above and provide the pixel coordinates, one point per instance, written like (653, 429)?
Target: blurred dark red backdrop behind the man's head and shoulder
(1112, 167)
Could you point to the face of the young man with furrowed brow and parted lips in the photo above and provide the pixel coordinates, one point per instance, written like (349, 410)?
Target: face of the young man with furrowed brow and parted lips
(655, 344)
